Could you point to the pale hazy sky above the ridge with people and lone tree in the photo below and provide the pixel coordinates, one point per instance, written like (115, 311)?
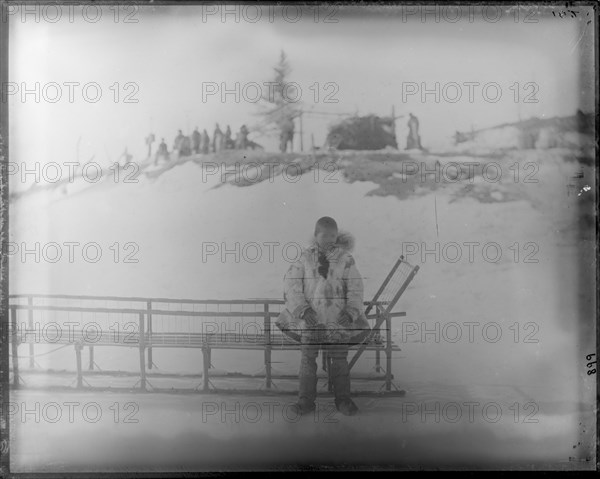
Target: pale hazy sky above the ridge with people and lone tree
(151, 74)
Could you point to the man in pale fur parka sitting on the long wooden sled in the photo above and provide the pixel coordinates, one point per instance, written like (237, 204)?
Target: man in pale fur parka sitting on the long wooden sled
(323, 294)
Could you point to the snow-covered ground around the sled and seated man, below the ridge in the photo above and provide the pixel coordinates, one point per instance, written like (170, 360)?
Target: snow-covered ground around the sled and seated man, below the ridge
(513, 331)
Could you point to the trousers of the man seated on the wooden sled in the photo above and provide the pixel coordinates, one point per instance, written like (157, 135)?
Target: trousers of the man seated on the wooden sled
(340, 373)
